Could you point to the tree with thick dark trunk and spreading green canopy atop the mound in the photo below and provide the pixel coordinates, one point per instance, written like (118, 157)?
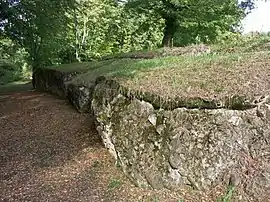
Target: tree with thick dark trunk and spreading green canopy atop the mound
(222, 15)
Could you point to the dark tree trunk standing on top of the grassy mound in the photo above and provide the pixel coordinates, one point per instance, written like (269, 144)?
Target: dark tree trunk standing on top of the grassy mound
(169, 30)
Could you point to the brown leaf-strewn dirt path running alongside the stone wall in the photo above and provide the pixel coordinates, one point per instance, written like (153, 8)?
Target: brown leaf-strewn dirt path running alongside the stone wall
(49, 152)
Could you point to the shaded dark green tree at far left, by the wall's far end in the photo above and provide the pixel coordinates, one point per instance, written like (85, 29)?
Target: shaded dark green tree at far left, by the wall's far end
(37, 25)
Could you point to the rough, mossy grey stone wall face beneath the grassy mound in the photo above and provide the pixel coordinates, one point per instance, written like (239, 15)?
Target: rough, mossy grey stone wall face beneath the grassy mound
(162, 147)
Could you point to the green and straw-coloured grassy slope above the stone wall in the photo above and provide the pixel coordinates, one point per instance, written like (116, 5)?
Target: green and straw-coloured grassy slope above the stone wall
(242, 68)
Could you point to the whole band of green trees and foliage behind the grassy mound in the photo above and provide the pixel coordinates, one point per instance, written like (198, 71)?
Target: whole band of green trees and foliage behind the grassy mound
(49, 32)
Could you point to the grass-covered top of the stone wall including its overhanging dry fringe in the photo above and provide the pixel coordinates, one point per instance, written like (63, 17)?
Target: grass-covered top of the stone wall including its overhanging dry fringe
(195, 76)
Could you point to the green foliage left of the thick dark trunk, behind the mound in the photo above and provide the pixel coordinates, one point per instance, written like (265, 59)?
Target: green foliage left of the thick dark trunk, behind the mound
(64, 32)
